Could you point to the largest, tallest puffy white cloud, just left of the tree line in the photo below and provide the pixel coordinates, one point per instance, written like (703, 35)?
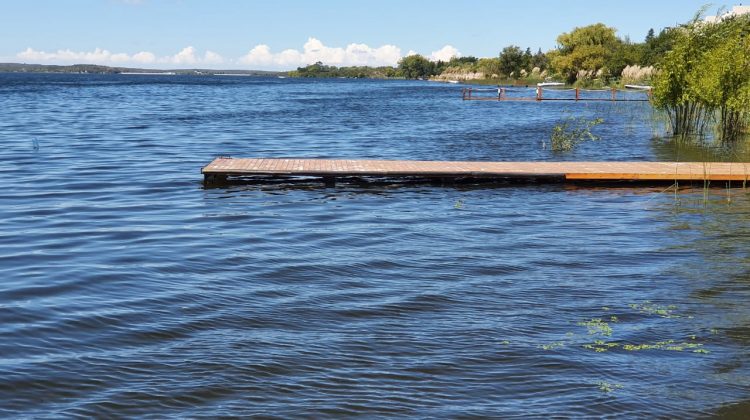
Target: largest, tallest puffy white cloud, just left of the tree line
(314, 50)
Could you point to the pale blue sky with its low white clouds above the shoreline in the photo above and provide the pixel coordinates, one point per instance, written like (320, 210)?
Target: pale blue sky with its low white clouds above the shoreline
(285, 34)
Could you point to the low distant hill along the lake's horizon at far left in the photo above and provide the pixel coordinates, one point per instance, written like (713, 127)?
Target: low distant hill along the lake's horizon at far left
(95, 69)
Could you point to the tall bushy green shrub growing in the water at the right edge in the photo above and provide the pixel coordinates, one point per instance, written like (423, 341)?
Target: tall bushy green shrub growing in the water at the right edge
(706, 77)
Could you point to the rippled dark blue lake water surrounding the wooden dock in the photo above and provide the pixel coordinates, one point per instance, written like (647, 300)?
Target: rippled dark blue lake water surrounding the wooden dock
(129, 289)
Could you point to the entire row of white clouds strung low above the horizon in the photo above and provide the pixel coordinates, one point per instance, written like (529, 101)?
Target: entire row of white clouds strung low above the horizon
(259, 57)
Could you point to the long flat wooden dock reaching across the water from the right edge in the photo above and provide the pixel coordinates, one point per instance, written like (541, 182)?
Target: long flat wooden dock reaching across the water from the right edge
(224, 168)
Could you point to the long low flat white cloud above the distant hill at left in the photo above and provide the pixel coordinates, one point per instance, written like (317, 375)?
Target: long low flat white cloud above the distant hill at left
(187, 57)
